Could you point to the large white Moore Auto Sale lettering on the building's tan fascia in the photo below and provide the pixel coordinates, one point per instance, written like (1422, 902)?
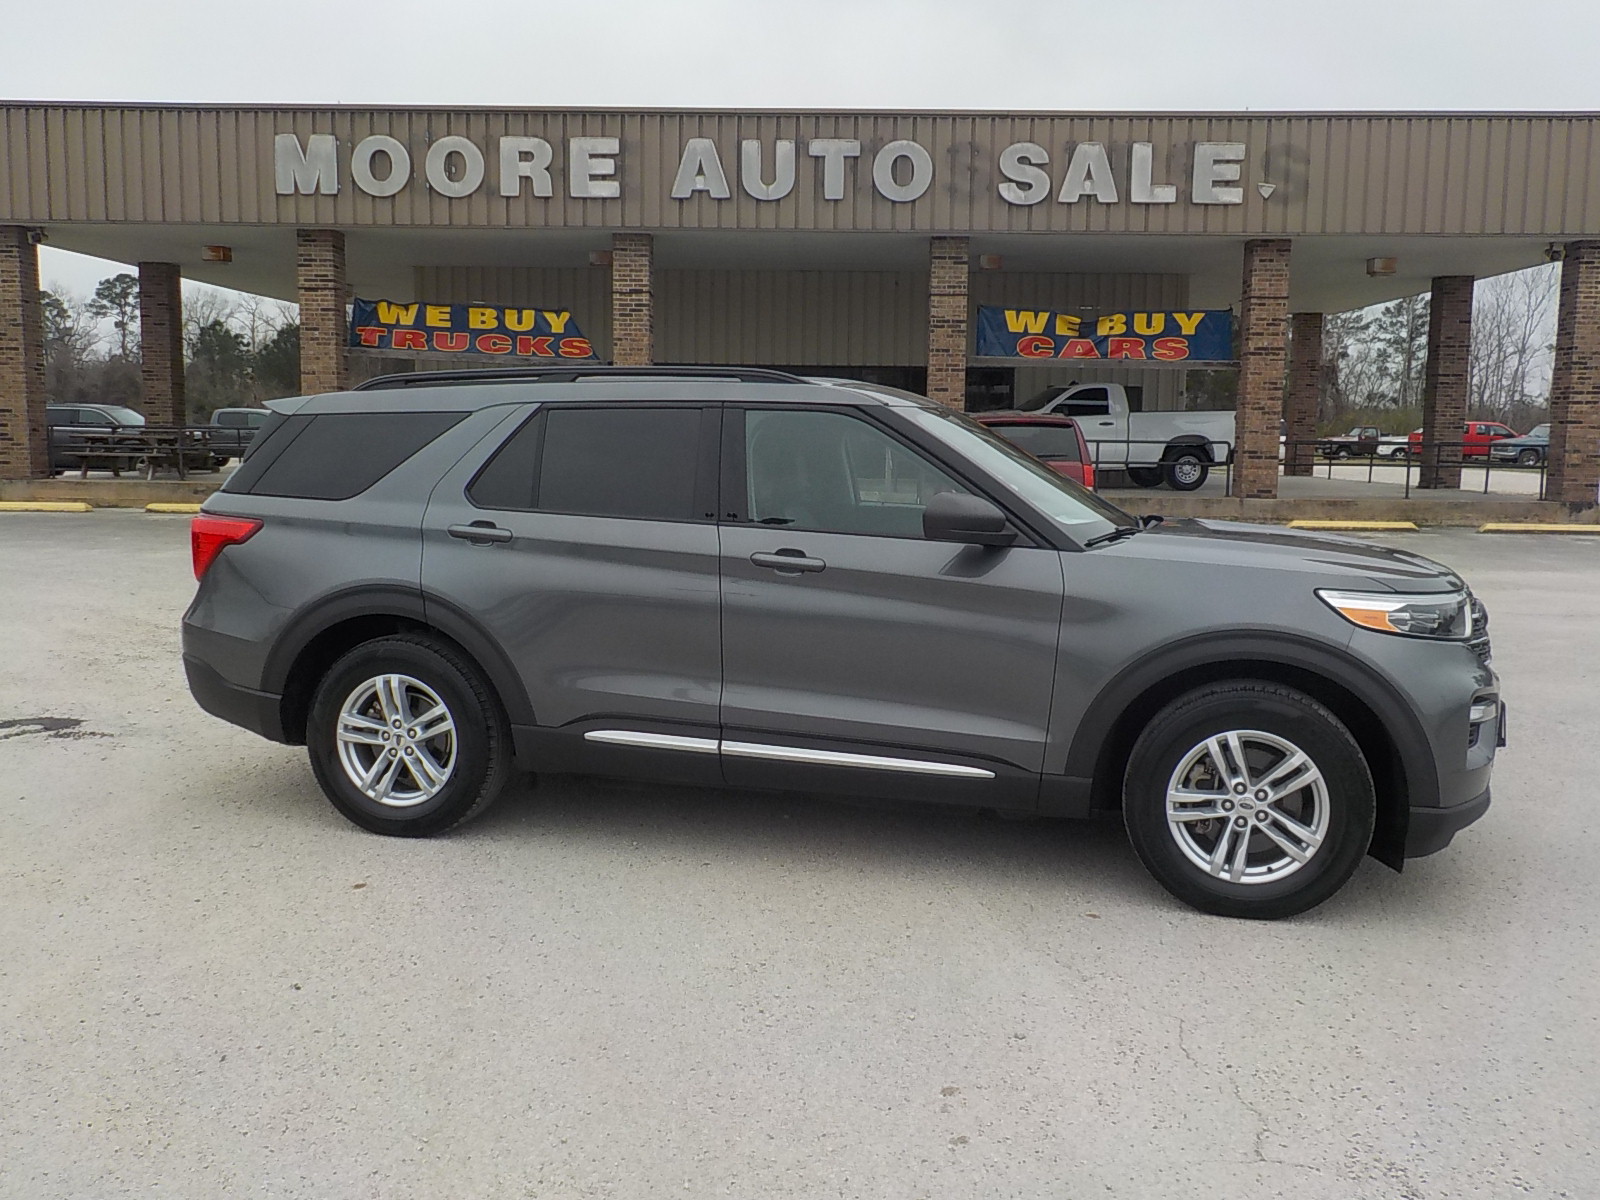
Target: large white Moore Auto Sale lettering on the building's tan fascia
(767, 170)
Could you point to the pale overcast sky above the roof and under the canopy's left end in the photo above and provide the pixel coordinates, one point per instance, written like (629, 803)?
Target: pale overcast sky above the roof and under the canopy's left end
(820, 55)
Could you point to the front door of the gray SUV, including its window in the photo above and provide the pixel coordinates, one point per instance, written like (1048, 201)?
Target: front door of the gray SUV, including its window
(878, 660)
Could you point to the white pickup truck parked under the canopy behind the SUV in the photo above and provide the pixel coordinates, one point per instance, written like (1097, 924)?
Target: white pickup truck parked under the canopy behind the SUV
(1177, 449)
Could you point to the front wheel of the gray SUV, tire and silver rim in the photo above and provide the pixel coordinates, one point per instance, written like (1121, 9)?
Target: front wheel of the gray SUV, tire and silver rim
(1334, 812)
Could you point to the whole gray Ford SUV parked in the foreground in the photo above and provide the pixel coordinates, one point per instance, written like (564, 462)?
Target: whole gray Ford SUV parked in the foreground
(742, 578)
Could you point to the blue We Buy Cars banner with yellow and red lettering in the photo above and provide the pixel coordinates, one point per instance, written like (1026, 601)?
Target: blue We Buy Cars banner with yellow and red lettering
(1154, 337)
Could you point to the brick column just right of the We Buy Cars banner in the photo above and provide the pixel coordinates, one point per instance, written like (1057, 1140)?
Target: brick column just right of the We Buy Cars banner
(1263, 354)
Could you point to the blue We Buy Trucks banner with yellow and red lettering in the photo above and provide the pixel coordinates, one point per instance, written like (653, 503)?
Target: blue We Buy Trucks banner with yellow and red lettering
(468, 329)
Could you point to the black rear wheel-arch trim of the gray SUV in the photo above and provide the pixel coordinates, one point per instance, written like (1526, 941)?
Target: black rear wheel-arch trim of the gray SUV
(401, 602)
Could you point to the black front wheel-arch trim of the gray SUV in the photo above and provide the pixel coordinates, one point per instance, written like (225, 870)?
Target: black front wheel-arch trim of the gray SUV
(1207, 650)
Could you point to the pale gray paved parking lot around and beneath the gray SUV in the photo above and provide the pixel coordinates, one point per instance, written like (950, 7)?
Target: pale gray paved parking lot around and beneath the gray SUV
(214, 986)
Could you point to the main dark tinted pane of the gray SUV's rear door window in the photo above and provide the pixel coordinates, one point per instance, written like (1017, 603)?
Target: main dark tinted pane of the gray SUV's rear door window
(620, 463)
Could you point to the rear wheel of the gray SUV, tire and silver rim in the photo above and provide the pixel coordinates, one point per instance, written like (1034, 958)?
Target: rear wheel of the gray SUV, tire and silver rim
(474, 754)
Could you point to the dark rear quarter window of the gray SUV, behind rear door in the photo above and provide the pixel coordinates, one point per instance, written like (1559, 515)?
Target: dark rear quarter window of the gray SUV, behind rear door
(338, 455)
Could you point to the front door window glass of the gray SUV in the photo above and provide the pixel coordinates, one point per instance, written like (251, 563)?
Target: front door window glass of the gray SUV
(834, 473)
